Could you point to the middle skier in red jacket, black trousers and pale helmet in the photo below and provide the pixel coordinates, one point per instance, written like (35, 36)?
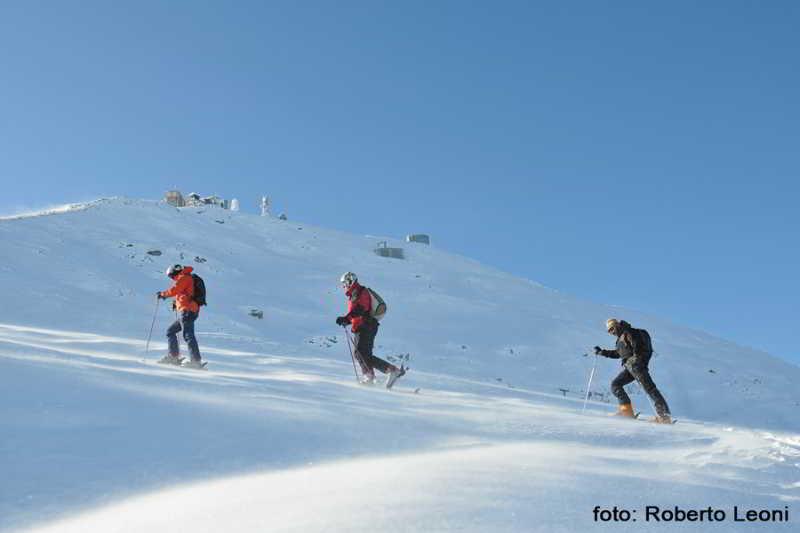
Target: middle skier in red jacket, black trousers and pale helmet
(365, 328)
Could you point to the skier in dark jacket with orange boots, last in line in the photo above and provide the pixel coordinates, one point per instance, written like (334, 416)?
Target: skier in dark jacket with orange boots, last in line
(635, 350)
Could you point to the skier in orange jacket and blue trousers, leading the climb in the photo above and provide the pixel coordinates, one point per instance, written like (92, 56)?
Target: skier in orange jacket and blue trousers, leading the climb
(188, 310)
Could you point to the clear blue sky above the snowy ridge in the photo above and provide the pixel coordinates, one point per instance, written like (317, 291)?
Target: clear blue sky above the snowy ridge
(642, 154)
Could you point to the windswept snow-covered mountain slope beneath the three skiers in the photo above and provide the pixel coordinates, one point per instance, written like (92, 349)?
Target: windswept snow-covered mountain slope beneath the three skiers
(276, 436)
